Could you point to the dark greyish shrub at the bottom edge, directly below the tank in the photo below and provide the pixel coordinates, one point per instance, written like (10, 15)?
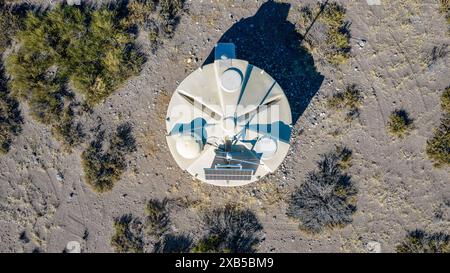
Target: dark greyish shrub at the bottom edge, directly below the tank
(230, 230)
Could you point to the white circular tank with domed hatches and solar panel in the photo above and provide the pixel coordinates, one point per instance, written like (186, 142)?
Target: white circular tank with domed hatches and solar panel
(228, 123)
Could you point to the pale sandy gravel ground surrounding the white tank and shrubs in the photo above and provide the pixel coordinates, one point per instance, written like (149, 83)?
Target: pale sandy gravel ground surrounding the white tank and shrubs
(45, 202)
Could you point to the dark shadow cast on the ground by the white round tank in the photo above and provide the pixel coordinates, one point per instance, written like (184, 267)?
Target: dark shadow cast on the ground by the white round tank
(269, 41)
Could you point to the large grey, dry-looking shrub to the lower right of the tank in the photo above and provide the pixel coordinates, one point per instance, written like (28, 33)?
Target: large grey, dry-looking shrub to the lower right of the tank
(327, 197)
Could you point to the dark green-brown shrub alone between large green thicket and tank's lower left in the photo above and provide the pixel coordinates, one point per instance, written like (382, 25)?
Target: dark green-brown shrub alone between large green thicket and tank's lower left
(103, 166)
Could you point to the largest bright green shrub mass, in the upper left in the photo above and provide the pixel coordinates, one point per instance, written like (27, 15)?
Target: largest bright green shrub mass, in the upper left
(70, 46)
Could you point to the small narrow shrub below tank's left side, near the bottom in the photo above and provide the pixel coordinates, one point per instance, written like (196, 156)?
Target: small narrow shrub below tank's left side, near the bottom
(157, 217)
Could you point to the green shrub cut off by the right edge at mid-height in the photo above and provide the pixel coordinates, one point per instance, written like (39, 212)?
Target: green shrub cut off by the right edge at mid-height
(438, 147)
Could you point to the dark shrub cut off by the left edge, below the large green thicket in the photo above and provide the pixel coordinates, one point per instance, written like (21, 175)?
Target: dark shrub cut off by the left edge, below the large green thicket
(10, 118)
